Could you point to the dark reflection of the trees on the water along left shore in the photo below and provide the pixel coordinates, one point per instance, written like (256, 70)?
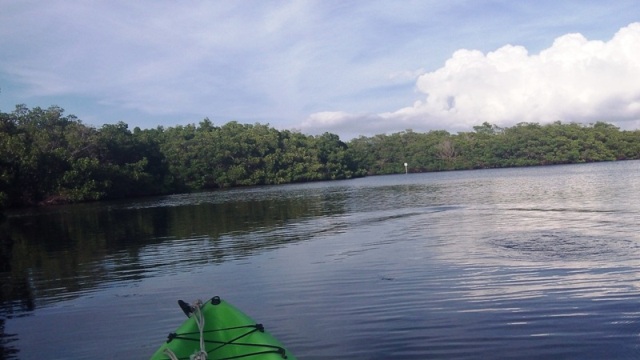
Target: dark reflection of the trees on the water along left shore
(74, 249)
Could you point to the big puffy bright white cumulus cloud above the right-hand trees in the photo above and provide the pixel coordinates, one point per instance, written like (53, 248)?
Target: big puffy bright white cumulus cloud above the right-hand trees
(575, 79)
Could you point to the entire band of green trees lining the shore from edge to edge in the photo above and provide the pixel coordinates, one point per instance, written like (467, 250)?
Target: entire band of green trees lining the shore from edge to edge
(47, 157)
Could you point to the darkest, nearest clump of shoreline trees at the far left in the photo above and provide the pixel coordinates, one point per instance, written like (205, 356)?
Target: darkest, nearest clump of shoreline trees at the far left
(50, 158)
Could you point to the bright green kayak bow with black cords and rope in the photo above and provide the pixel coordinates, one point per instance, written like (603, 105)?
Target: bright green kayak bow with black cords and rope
(225, 333)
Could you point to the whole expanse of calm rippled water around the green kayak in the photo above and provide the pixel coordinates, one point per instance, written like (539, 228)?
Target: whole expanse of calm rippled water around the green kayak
(505, 264)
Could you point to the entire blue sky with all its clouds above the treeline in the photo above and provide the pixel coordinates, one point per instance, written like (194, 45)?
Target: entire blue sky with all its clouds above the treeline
(352, 68)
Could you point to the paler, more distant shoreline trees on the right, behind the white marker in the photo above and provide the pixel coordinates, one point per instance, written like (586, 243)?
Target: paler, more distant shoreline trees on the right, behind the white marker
(489, 146)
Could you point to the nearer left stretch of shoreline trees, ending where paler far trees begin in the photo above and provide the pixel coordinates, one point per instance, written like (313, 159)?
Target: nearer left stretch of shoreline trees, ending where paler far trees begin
(47, 157)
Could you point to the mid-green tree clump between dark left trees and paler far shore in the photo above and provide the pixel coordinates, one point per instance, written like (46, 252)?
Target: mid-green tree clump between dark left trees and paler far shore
(207, 157)
